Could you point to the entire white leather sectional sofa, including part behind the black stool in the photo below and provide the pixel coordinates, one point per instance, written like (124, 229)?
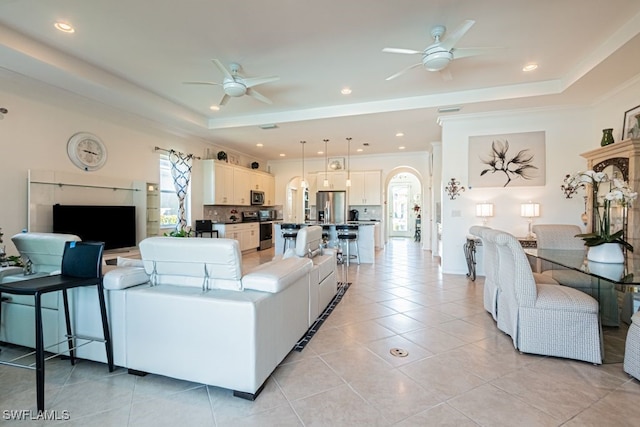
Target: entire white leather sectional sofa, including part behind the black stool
(188, 311)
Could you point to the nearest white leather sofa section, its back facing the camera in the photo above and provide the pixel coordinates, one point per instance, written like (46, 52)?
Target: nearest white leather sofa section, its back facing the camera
(199, 318)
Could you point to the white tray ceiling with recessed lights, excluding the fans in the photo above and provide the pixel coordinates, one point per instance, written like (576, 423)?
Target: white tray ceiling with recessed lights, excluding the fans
(134, 55)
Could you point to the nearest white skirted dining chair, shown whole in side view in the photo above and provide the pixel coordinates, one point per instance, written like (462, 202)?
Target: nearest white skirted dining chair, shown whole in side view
(546, 319)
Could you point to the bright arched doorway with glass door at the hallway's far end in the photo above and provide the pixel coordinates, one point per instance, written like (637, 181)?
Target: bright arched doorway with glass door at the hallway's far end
(405, 206)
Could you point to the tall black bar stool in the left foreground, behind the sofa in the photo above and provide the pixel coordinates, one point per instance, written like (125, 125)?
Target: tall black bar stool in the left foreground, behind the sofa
(81, 266)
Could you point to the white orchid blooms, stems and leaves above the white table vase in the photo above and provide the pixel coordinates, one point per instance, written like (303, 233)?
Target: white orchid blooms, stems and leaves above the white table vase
(619, 194)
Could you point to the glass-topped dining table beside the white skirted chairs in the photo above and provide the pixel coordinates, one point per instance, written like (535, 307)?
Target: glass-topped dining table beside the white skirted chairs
(616, 287)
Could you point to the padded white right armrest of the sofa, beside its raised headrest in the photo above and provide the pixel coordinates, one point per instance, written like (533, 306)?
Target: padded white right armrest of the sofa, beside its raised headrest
(275, 276)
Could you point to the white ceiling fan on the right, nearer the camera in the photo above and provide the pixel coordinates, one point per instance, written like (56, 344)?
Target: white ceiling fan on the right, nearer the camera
(438, 55)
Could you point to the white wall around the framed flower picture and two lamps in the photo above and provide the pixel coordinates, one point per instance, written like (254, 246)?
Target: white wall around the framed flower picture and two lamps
(569, 132)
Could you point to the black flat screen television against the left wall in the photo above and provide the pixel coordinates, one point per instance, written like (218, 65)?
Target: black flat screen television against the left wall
(113, 225)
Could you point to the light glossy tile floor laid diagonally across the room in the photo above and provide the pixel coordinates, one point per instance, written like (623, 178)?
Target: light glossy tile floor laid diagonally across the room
(460, 369)
